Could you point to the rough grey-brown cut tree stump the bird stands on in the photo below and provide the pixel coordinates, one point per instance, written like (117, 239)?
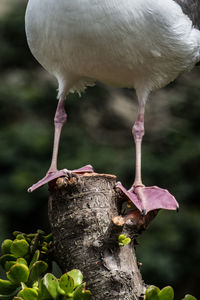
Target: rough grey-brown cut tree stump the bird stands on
(85, 237)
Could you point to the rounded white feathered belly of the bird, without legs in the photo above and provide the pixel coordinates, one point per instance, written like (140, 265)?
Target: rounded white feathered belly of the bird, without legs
(128, 43)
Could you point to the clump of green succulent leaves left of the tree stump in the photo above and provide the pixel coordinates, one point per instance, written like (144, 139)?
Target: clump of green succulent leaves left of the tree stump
(27, 261)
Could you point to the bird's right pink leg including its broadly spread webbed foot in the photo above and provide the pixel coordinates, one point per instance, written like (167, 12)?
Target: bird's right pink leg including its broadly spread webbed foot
(146, 198)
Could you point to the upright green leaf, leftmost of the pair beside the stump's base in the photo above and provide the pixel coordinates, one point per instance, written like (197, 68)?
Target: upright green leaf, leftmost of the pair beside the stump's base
(52, 285)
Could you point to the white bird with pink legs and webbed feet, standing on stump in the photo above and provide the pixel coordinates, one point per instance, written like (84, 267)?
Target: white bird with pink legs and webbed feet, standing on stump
(141, 44)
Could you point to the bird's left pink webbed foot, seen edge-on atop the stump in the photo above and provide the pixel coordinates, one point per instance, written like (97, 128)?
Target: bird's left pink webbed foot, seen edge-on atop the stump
(53, 175)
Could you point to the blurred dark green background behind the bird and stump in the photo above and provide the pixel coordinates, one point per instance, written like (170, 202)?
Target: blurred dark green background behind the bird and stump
(99, 132)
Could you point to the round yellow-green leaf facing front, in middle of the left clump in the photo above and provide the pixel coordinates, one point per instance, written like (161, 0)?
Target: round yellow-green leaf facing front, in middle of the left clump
(18, 273)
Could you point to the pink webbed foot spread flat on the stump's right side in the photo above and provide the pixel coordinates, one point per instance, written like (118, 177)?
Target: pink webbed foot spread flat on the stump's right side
(150, 198)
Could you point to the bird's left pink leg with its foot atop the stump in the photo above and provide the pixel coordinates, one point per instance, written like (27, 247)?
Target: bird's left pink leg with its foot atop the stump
(53, 172)
